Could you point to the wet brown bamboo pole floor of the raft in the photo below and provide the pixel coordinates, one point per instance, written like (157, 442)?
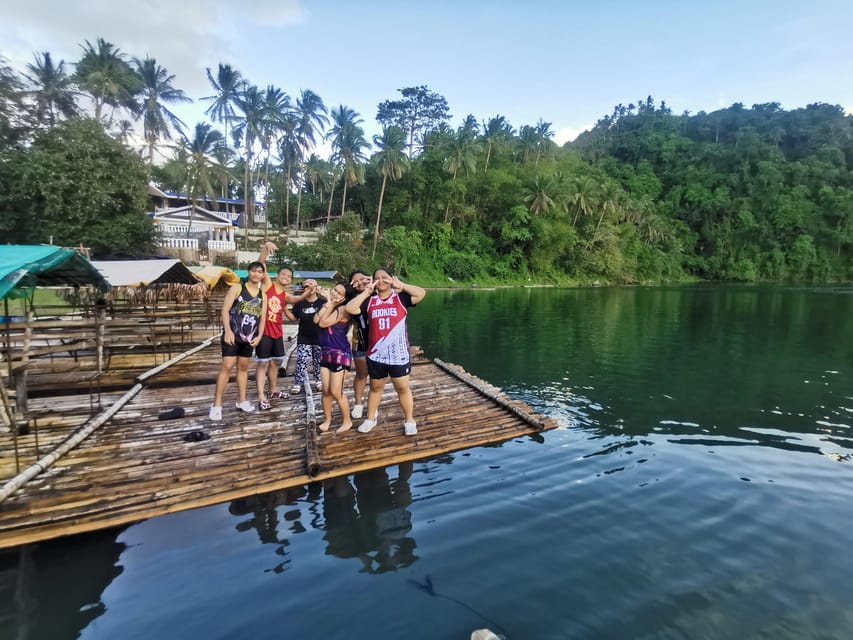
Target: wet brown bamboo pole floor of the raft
(137, 466)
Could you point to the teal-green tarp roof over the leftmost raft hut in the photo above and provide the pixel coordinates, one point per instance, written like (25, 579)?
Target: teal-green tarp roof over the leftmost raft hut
(45, 266)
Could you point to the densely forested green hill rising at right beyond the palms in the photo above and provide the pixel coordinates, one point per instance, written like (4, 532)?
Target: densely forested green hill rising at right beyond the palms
(764, 193)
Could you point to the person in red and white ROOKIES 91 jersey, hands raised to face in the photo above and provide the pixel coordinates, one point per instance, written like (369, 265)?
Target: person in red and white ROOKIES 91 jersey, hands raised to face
(385, 302)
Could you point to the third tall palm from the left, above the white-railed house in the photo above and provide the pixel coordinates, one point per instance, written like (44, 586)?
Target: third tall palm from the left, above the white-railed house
(157, 90)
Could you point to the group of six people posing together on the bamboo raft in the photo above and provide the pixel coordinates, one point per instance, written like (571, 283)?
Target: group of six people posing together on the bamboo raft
(372, 310)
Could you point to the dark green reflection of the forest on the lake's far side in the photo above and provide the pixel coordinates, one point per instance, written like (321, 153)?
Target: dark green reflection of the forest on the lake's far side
(744, 366)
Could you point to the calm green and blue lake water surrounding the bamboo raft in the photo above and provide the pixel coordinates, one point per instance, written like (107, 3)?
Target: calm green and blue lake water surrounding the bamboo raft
(701, 487)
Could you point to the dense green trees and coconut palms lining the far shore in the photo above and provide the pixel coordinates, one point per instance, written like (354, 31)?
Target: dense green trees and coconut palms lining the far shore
(759, 194)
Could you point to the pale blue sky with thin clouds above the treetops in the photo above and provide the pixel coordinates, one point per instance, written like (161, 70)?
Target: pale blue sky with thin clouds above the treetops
(568, 62)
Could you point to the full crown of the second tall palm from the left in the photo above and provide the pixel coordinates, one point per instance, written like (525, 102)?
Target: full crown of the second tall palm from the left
(105, 74)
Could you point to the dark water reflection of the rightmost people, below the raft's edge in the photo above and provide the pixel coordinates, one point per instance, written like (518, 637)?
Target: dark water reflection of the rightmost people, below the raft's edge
(372, 521)
